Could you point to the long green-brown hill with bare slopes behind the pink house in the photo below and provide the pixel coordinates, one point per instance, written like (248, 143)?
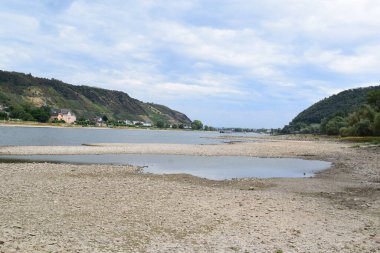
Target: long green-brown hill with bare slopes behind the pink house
(18, 89)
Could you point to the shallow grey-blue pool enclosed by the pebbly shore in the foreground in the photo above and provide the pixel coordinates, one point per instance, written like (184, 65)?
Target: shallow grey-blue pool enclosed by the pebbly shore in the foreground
(210, 167)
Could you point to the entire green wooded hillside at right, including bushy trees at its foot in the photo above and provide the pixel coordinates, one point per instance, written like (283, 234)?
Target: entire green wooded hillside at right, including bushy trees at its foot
(353, 112)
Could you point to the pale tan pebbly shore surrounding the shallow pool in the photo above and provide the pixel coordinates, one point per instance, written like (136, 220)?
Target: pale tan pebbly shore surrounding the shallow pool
(102, 208)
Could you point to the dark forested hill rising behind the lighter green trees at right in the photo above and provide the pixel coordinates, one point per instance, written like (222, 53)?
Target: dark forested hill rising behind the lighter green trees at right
(342, 104)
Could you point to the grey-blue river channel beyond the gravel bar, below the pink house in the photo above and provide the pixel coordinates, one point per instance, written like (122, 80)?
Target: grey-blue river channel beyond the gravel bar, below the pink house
(45, 136)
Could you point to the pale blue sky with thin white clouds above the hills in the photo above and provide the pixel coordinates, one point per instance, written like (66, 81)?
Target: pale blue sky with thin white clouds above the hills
(228, 63)
